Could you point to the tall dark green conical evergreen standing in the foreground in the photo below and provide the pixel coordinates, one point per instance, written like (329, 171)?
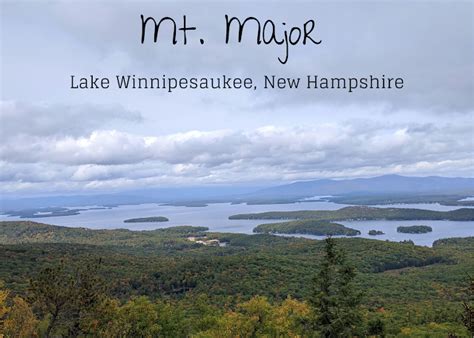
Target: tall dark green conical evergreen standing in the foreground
(335, 300)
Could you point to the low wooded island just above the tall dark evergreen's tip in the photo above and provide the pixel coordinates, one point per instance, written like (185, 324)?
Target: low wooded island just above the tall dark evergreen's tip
(307, 227)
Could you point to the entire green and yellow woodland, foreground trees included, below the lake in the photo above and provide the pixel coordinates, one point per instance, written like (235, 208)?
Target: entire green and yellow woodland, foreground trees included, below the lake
(61, 281)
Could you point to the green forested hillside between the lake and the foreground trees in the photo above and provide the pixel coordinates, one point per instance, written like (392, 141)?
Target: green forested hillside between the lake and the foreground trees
(401, 282)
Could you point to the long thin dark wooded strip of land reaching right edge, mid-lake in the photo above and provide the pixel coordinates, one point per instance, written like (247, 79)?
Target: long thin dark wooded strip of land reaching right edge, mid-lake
(363, 213)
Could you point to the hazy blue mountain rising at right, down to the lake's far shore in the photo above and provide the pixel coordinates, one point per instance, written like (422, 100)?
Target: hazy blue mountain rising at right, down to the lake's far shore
(375, 190)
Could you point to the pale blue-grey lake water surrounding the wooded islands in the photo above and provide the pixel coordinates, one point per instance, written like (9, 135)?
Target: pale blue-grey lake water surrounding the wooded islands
(215, 217)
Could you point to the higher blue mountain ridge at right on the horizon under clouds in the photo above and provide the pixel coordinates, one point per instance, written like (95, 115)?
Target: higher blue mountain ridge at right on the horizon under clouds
(381, 185)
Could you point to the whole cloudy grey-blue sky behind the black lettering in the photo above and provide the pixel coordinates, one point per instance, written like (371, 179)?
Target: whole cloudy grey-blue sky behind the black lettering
(54, 139)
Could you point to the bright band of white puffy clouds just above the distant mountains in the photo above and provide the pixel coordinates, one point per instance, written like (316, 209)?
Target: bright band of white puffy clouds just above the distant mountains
(109, 158)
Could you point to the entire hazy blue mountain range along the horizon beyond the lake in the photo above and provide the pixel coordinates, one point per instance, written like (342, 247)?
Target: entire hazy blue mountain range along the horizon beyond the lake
(387, 189)
